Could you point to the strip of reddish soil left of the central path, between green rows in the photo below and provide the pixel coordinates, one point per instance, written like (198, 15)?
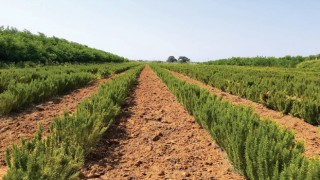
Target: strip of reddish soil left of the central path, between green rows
(25, 123)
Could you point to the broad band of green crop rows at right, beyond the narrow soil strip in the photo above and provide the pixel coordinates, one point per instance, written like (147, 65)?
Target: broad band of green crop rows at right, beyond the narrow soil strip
(290, 91)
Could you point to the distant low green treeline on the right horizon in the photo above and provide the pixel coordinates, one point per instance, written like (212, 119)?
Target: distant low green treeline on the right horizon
(287, 61)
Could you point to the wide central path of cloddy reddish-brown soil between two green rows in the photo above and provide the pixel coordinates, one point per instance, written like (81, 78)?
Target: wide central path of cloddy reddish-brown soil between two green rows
(155, 138)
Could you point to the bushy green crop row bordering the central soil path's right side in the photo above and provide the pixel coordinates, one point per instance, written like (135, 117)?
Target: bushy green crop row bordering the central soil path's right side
(259, 149)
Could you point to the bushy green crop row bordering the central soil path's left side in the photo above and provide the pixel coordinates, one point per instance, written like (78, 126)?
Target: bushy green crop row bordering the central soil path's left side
(61, 154)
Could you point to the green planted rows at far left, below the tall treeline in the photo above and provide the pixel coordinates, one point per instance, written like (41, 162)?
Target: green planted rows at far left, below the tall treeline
(21, 87)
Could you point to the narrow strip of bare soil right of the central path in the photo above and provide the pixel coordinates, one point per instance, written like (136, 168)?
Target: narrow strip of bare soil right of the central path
(303, 131)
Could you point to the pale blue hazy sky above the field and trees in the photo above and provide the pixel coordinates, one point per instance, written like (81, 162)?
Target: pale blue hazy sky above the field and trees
(202, 30)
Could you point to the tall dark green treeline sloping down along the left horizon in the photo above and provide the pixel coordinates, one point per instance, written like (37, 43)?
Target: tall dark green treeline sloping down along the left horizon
(21, 46)
